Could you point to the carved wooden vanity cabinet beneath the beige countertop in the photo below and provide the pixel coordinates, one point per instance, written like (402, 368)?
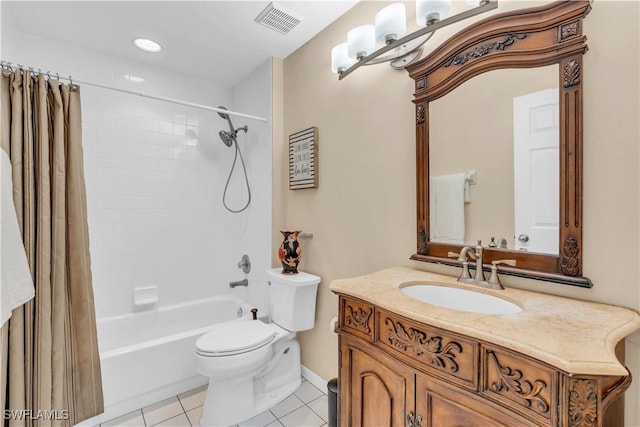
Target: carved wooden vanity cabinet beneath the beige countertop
(395, 371)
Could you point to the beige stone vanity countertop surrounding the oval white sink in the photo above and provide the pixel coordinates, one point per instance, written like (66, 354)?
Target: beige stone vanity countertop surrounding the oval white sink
(578, 337)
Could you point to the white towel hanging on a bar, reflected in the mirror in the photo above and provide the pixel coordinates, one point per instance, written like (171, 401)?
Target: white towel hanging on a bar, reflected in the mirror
(446, 207)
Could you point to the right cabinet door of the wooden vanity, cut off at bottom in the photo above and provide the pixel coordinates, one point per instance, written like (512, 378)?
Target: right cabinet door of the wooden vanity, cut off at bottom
(441, 406)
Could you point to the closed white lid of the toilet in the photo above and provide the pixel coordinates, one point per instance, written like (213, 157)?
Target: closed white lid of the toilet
(233, 338)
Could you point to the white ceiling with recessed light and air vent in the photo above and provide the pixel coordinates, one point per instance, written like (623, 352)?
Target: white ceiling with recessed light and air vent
(213, 40)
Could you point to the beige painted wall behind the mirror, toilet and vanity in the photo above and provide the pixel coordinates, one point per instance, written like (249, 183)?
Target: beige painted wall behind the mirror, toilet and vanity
(363, 213)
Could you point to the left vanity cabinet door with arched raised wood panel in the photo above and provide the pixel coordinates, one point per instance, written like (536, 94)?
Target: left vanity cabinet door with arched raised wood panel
(375, 389)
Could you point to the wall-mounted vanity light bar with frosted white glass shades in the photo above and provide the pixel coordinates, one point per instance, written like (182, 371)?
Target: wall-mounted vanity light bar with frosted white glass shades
(389, 31)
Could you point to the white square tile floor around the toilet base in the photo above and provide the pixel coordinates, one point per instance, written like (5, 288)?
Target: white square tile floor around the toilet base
(308, 407)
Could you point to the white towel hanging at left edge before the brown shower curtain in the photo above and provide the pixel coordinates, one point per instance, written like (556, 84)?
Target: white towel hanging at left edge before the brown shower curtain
(16, 284)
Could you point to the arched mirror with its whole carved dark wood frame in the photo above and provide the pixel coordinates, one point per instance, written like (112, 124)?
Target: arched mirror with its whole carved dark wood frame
(504, 61)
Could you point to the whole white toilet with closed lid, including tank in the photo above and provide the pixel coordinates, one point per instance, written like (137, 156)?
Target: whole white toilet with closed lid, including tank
(253, 365)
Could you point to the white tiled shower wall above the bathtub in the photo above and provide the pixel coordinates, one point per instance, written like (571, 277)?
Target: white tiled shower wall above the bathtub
(155, 174)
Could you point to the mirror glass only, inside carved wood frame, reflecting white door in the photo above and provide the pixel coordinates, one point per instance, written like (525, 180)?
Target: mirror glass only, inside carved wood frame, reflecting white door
(493, 153)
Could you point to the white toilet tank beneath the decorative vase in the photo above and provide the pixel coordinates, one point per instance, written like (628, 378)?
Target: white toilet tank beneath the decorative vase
(293, 299)
